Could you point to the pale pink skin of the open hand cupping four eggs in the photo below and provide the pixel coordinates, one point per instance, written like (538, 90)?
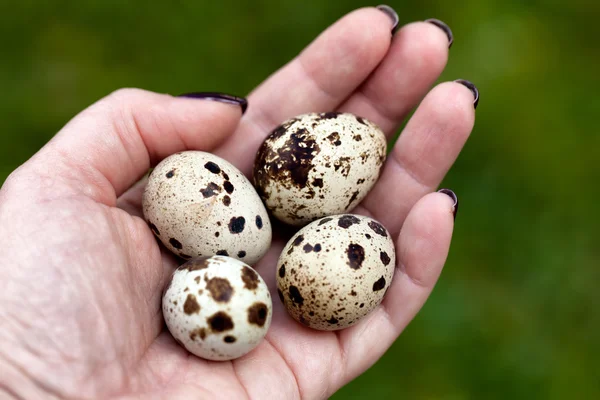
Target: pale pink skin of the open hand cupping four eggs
(80, 309)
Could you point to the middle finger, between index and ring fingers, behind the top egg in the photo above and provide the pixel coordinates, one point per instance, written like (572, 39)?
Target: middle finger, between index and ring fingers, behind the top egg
(416, 58)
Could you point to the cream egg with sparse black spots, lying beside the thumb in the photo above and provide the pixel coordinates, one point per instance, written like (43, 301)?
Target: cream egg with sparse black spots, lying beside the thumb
(198, 204)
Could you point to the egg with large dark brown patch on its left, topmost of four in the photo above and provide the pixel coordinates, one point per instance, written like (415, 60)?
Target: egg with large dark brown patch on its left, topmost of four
(318, 164)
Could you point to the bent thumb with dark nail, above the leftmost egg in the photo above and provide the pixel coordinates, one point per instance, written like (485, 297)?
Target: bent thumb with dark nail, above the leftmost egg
(109, 146)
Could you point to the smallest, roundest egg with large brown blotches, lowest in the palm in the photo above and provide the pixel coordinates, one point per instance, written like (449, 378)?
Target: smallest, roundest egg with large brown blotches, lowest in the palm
(217, 307)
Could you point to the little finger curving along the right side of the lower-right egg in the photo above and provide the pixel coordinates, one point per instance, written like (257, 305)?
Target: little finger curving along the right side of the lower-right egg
(422, 249)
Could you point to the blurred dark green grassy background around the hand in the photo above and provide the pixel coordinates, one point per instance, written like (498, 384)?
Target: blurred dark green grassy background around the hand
(516, 313)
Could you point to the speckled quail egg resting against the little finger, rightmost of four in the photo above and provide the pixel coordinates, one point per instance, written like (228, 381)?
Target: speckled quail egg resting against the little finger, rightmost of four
(335, 271)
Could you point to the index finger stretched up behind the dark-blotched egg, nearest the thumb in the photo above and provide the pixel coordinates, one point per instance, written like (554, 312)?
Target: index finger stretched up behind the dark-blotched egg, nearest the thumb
(319, 79)
